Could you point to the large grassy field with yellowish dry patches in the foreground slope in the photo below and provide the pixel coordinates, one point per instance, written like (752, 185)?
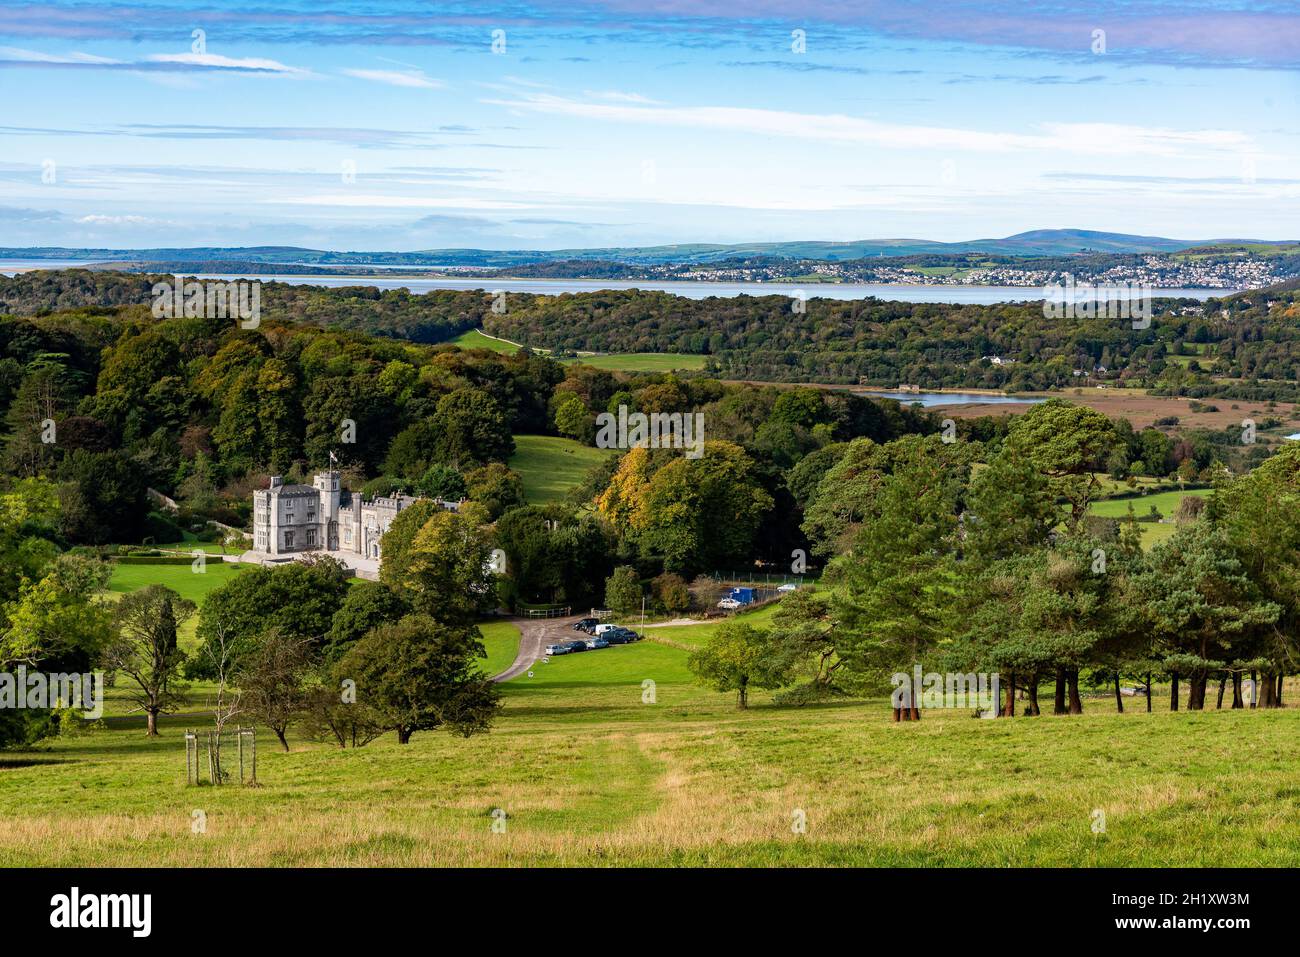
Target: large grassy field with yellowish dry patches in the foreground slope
(593, 770)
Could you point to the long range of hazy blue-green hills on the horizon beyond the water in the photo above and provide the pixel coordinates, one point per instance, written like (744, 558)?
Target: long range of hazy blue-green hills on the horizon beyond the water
(1041, 243)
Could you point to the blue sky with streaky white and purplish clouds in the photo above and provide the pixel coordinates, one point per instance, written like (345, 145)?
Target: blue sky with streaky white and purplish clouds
(540, 124)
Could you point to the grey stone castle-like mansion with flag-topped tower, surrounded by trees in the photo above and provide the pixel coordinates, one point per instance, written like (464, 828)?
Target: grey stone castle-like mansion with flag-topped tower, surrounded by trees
(323, 517)
